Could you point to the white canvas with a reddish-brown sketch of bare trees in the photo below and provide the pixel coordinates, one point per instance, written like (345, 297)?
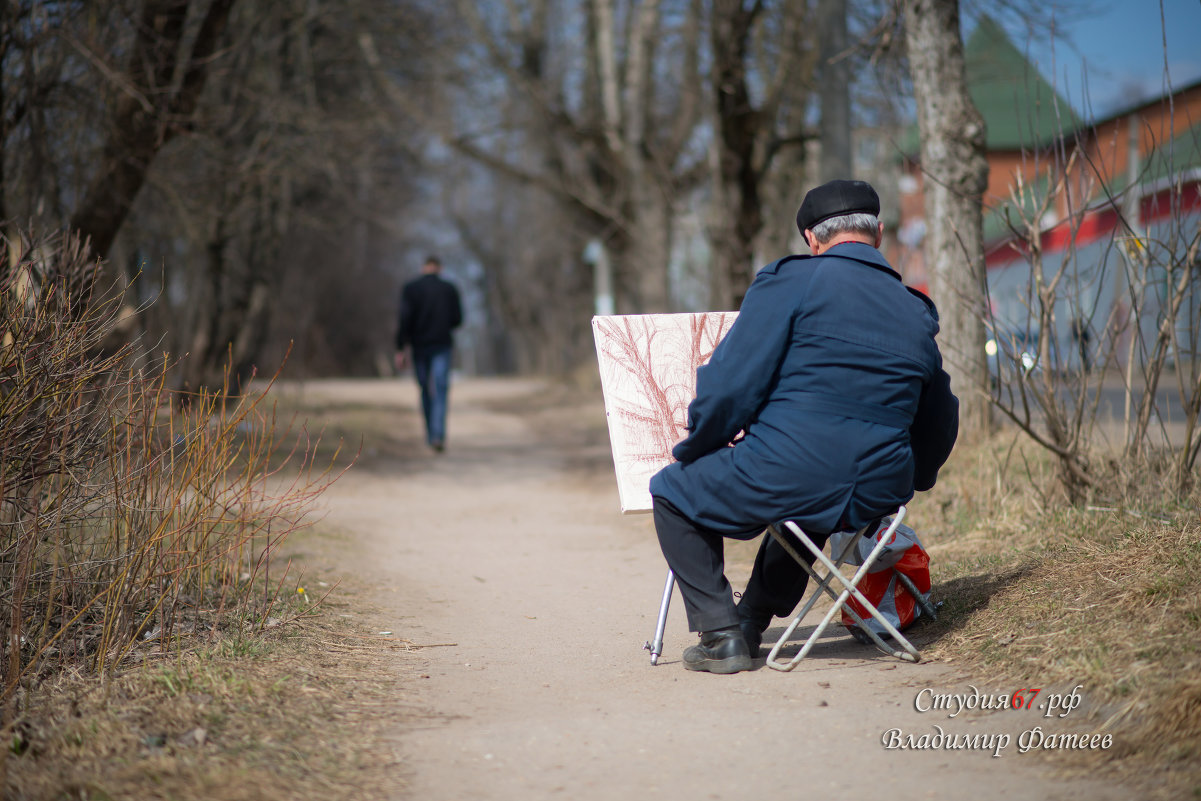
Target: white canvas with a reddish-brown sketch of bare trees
(649, 376)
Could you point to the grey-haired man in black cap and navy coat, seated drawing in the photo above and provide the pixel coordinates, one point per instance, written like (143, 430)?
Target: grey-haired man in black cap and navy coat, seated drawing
(833, 375)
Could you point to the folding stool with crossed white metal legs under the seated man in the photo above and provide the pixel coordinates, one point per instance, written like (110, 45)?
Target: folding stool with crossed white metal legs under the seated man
(851, 589)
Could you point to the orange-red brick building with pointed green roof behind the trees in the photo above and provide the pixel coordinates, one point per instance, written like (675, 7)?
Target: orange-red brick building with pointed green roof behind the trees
(1075, 180)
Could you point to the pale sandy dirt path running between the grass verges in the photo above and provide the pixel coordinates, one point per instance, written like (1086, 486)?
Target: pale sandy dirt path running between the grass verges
(511, 548)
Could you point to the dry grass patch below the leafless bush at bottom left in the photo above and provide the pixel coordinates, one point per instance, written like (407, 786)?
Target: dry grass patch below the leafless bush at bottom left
(298, 713)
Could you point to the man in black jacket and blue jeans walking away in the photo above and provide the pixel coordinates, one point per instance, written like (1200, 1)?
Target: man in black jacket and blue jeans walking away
(431, 310)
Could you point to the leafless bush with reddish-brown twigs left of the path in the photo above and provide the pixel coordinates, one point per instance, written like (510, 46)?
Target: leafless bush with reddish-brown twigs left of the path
(127, 517)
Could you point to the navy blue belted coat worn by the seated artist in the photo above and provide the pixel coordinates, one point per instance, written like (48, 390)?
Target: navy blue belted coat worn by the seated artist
(833, 373)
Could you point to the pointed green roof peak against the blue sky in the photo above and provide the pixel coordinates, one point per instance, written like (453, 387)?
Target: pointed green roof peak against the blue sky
(1020, 109)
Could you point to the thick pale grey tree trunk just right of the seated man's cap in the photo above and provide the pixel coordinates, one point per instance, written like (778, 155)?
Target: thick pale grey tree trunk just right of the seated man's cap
(957, 175)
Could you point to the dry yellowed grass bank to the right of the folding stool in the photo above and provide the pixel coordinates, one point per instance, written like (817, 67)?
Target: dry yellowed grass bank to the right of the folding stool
(1045, 595)
